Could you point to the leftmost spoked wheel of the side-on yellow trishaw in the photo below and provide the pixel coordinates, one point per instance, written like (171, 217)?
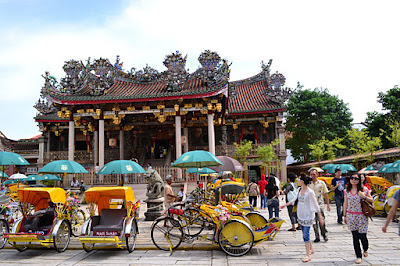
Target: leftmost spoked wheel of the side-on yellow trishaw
(166, 233)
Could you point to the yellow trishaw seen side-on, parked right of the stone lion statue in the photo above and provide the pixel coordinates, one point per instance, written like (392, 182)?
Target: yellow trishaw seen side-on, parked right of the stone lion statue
(236, 225)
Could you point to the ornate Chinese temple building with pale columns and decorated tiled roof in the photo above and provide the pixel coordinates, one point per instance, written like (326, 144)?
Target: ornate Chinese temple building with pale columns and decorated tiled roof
(98, 112)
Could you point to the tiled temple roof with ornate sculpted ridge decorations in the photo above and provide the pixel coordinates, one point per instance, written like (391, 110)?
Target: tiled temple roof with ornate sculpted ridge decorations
(101, 82)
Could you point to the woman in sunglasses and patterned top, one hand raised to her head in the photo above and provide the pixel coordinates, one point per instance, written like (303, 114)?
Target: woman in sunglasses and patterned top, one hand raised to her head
(353, 215)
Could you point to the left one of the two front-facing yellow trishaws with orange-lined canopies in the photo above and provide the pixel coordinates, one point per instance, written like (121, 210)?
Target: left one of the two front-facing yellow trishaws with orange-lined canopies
(49, 228)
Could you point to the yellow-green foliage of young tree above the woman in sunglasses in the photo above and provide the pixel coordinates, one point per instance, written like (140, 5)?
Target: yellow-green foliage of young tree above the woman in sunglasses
(362, 143)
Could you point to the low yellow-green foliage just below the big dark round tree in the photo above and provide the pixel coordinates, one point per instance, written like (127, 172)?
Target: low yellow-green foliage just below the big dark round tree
(326, 149)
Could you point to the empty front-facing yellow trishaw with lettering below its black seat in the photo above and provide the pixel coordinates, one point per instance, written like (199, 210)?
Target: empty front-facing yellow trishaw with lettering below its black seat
(115, 222)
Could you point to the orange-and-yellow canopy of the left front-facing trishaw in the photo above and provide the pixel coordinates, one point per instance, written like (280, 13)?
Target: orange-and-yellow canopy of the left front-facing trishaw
(38, 196)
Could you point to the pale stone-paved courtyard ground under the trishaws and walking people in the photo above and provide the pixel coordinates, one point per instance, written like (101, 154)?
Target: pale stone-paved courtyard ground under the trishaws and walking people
(287, 249)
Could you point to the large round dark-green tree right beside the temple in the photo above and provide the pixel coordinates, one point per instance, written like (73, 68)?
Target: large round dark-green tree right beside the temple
(312, 114)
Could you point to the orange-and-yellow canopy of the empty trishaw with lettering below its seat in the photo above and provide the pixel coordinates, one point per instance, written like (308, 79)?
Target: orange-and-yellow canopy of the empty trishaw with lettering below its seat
(102, 195)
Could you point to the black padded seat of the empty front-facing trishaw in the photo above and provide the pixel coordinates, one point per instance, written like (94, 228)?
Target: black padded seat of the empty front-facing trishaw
(111, 220)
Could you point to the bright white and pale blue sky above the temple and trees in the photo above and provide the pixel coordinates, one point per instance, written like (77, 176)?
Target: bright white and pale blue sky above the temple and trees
(349, 47)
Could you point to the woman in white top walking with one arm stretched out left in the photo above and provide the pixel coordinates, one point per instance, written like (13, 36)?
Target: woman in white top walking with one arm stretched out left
(307, 206)
